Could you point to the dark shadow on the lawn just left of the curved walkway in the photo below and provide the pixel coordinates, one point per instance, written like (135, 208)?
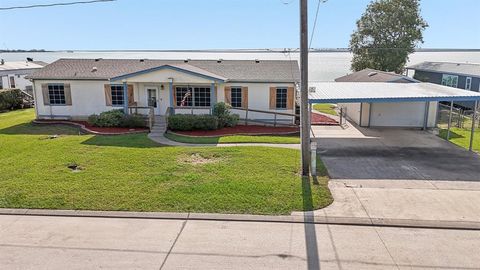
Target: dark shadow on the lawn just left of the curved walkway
(130, 141)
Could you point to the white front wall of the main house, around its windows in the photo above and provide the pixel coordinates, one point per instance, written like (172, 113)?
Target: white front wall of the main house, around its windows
(88, 97)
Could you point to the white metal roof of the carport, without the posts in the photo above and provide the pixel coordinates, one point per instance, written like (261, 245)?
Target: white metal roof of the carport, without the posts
(356, 92)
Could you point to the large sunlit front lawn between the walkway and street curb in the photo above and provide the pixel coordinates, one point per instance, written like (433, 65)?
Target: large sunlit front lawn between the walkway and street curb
(132, 173)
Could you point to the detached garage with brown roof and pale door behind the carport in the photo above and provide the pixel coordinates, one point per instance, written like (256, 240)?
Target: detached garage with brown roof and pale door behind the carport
(395, 114)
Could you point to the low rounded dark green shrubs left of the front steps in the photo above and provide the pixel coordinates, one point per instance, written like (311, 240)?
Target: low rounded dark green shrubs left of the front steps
(116, 118)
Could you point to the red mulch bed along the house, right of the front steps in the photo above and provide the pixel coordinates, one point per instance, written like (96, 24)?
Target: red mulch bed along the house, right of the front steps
(241, 130)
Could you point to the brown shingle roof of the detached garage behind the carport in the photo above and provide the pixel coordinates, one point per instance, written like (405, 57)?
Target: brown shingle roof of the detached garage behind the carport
(372, 75)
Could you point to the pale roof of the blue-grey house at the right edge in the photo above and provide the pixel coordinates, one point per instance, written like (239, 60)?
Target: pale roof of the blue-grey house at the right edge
(447, 67)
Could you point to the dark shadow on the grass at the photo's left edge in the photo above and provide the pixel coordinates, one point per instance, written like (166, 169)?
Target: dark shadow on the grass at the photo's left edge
(39, 129)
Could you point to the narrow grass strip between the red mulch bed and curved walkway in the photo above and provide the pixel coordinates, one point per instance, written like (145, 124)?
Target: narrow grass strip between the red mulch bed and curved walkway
(285, 139)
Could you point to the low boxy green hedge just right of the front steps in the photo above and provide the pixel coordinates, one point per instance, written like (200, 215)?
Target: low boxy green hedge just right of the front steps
(192, 122)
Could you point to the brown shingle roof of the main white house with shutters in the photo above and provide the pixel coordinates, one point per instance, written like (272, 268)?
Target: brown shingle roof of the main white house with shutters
(227, 70)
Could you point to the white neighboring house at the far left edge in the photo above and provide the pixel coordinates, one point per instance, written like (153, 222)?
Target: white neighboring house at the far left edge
(12, 74)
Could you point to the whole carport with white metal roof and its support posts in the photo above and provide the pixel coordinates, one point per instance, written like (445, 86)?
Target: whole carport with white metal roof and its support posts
(394, 94)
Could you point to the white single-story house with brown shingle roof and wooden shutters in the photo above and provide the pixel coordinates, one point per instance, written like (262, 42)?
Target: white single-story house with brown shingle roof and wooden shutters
(77, 88)
